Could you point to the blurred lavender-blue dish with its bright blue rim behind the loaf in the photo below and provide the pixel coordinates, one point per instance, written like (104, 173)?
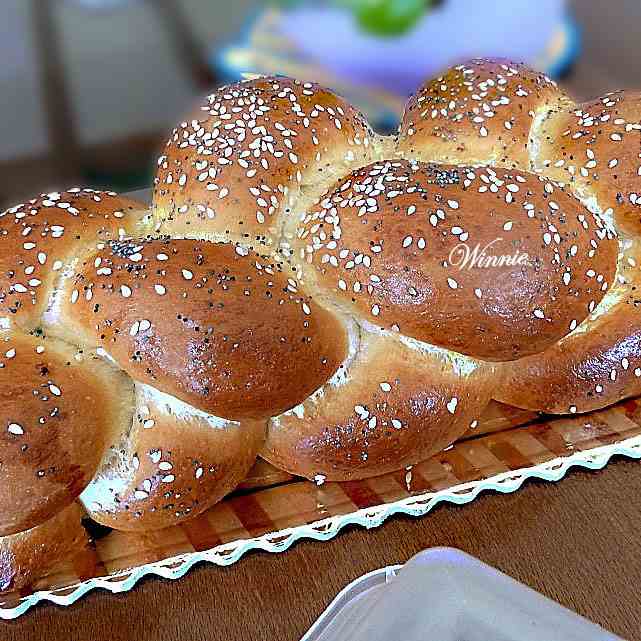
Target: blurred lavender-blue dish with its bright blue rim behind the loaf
(323, 43)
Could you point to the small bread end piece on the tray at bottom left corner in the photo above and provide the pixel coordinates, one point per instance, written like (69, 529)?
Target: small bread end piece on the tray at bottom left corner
(27, 556)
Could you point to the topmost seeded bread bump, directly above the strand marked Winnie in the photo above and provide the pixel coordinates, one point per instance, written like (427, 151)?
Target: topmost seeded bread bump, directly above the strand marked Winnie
(478, 112)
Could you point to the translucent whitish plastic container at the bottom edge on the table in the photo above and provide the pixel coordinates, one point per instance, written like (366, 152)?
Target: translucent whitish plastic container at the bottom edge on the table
(443, 594)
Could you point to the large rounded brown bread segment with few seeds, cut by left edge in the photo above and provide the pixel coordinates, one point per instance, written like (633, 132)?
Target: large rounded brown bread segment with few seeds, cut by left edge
(59, 408)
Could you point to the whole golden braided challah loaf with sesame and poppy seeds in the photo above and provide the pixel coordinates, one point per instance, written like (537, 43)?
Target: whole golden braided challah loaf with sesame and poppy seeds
(301, 291)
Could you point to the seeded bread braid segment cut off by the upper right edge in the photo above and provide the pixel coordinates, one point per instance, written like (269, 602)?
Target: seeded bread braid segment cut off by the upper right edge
(595, 148)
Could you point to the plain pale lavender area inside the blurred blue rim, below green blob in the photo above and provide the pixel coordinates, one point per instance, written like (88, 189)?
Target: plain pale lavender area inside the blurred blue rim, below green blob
(456, 30)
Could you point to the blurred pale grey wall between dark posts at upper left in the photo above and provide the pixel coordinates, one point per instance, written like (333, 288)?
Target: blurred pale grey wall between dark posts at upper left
(122, 72)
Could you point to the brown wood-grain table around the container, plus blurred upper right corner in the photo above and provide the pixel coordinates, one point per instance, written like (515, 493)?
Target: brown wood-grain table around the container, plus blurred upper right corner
(577, 541)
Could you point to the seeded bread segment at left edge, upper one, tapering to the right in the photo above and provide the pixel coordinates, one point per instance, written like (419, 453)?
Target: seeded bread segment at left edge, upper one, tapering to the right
(41, 238)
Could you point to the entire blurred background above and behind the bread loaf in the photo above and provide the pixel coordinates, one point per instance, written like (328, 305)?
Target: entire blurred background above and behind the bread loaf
(90, 88)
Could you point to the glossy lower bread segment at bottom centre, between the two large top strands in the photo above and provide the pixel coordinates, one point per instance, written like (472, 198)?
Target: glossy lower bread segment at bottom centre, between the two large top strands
(395, 403)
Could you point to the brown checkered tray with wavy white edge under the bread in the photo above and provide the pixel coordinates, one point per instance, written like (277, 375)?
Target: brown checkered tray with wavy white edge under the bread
(274, 510)
